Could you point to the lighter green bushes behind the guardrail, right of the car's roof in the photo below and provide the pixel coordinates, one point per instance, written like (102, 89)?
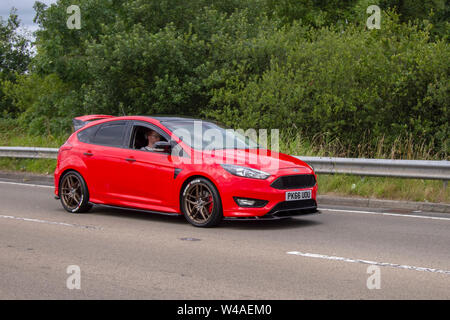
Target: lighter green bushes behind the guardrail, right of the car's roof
(385, 83)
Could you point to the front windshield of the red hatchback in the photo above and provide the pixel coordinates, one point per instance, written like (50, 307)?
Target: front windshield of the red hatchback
(204, 135)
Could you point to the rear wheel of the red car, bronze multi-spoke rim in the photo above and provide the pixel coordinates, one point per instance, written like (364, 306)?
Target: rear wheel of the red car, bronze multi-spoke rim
(73, 193)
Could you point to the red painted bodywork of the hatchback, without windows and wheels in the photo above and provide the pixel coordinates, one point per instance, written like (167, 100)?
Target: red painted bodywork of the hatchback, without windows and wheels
(149, 183)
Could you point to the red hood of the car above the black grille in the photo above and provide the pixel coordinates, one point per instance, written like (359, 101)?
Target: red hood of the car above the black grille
(261, 159)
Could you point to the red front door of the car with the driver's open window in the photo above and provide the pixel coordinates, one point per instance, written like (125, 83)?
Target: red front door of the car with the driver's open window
(150, 175)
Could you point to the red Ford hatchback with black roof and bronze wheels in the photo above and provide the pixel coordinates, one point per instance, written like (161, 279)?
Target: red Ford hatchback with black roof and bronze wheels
(179, 166)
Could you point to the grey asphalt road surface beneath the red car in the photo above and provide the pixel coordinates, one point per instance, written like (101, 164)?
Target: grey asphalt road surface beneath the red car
(124, 254)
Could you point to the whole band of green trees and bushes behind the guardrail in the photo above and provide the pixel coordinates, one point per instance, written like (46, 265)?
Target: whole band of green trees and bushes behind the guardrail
(305, 66)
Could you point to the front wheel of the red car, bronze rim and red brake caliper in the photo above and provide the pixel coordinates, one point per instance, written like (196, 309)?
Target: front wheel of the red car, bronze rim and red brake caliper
(200, 203)
